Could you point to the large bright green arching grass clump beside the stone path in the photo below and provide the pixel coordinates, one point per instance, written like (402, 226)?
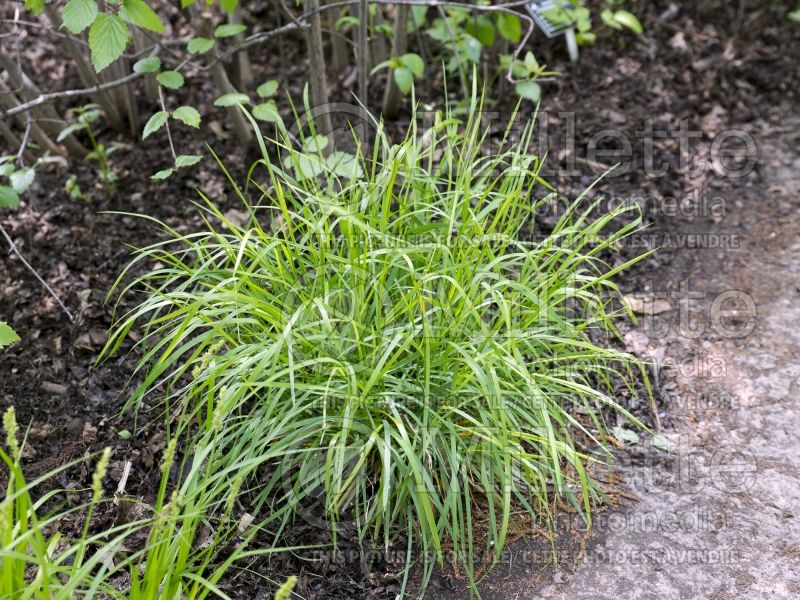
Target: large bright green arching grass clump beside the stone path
(386, 326)
